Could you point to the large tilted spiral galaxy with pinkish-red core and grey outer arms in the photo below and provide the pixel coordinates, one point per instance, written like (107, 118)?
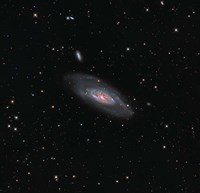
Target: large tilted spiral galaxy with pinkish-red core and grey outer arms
(98, 94)
